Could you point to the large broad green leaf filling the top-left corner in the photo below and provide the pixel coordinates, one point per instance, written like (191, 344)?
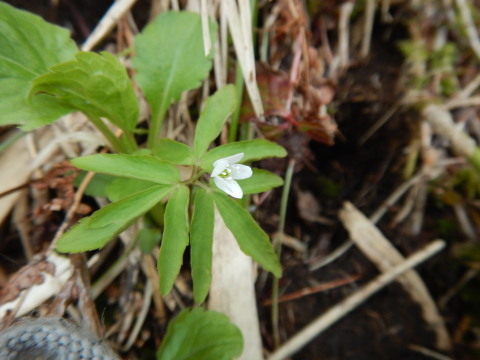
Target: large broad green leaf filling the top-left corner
(29, 46)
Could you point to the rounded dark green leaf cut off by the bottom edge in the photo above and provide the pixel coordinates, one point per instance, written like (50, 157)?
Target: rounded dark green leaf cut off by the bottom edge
(201, 335)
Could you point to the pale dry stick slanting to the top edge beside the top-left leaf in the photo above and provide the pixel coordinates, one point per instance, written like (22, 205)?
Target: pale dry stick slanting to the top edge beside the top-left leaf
(108, 22)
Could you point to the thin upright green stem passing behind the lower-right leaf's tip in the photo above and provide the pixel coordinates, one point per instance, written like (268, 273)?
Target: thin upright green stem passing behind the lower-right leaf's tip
(278, 248)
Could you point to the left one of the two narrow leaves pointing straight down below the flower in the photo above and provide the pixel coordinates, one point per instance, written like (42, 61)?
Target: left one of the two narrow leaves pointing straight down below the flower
(175, 239)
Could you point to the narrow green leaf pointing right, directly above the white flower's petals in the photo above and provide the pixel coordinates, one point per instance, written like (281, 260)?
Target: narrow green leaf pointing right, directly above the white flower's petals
(253, 149)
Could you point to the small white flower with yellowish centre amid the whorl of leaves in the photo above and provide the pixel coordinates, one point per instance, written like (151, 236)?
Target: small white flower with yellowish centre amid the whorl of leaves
(226, 171)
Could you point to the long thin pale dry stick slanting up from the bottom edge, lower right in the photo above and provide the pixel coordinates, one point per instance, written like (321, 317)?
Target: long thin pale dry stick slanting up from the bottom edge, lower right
(351, 302)
